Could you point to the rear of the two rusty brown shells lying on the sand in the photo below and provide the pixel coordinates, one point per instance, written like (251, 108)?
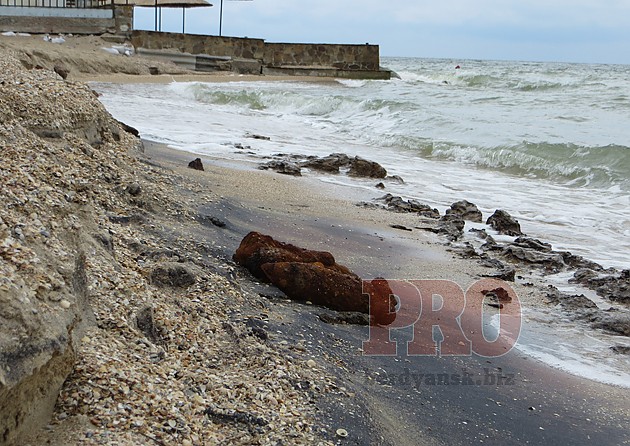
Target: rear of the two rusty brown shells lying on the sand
(257, 249)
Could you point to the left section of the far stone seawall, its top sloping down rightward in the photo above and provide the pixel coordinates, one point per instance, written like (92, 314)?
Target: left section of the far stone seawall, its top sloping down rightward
(235, 47)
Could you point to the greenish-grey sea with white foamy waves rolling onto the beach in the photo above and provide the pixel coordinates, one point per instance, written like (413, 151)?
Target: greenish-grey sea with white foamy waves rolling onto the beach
(547, 142)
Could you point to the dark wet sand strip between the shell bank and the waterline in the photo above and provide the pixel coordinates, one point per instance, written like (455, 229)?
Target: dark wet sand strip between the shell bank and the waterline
(400, 400)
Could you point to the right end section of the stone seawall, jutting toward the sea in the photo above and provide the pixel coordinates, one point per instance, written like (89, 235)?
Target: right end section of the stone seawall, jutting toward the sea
(341, 57)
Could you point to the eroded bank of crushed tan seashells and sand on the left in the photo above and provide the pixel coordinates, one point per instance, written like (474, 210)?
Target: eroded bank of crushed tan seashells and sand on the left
(104, 287)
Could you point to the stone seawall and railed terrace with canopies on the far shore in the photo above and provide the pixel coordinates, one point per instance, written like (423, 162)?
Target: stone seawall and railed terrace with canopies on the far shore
(192, 51)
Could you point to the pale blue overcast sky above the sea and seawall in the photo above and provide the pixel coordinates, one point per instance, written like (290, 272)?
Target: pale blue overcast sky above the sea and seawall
(535, 30)
